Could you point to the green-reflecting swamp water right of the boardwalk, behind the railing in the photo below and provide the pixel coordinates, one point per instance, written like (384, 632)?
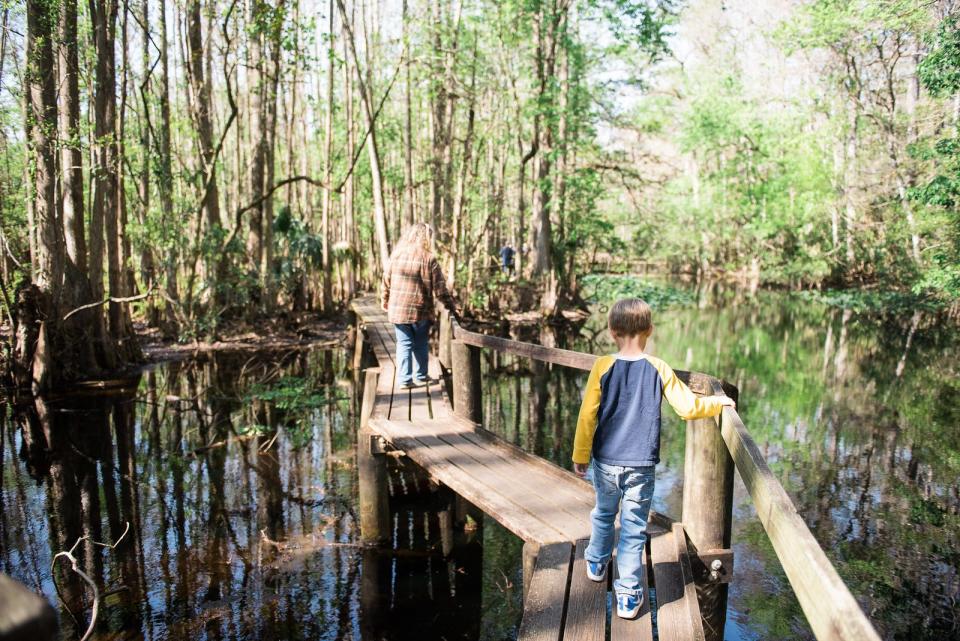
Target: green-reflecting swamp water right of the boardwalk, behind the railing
(858, 416)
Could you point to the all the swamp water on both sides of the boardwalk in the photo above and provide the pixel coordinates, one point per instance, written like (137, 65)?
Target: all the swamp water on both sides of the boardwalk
(238, 478)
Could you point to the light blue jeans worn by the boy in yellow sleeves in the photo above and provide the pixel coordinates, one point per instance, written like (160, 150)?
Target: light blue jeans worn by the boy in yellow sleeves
(629, 490)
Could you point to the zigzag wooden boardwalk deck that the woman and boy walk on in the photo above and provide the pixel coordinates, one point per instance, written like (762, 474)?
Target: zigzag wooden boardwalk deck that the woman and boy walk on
(545, 505)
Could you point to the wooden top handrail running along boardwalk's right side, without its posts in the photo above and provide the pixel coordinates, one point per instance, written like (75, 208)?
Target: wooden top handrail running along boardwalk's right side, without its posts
(831, 610)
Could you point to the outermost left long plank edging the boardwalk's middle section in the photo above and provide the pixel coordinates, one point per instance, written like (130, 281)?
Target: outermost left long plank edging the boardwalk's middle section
(421, 449)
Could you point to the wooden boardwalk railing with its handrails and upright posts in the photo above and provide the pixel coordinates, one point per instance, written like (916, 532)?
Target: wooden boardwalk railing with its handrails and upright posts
(711, 455)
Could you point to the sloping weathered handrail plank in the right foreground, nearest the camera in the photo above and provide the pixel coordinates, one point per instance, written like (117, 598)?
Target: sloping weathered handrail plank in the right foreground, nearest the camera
(812, 576)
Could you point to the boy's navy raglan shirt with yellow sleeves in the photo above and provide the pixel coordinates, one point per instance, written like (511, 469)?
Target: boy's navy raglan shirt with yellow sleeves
(620, 416)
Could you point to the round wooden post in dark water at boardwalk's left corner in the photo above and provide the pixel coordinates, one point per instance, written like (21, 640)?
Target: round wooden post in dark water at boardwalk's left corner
(372, 470)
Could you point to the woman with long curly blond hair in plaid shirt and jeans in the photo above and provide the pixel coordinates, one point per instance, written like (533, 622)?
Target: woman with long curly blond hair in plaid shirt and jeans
(411, 281)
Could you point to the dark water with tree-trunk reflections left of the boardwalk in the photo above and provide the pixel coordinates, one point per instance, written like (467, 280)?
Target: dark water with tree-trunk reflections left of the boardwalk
(238, 479)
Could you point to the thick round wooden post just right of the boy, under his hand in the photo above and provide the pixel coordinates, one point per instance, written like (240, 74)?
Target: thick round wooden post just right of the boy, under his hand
(707, 512)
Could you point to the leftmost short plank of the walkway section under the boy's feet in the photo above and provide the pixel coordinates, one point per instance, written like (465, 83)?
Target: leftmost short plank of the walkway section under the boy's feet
(546, 601)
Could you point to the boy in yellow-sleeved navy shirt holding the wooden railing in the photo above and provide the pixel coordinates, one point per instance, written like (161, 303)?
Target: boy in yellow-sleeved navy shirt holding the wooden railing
(619, 425)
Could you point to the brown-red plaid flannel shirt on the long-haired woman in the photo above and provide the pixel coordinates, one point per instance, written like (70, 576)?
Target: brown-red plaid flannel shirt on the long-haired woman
(410, 283)
